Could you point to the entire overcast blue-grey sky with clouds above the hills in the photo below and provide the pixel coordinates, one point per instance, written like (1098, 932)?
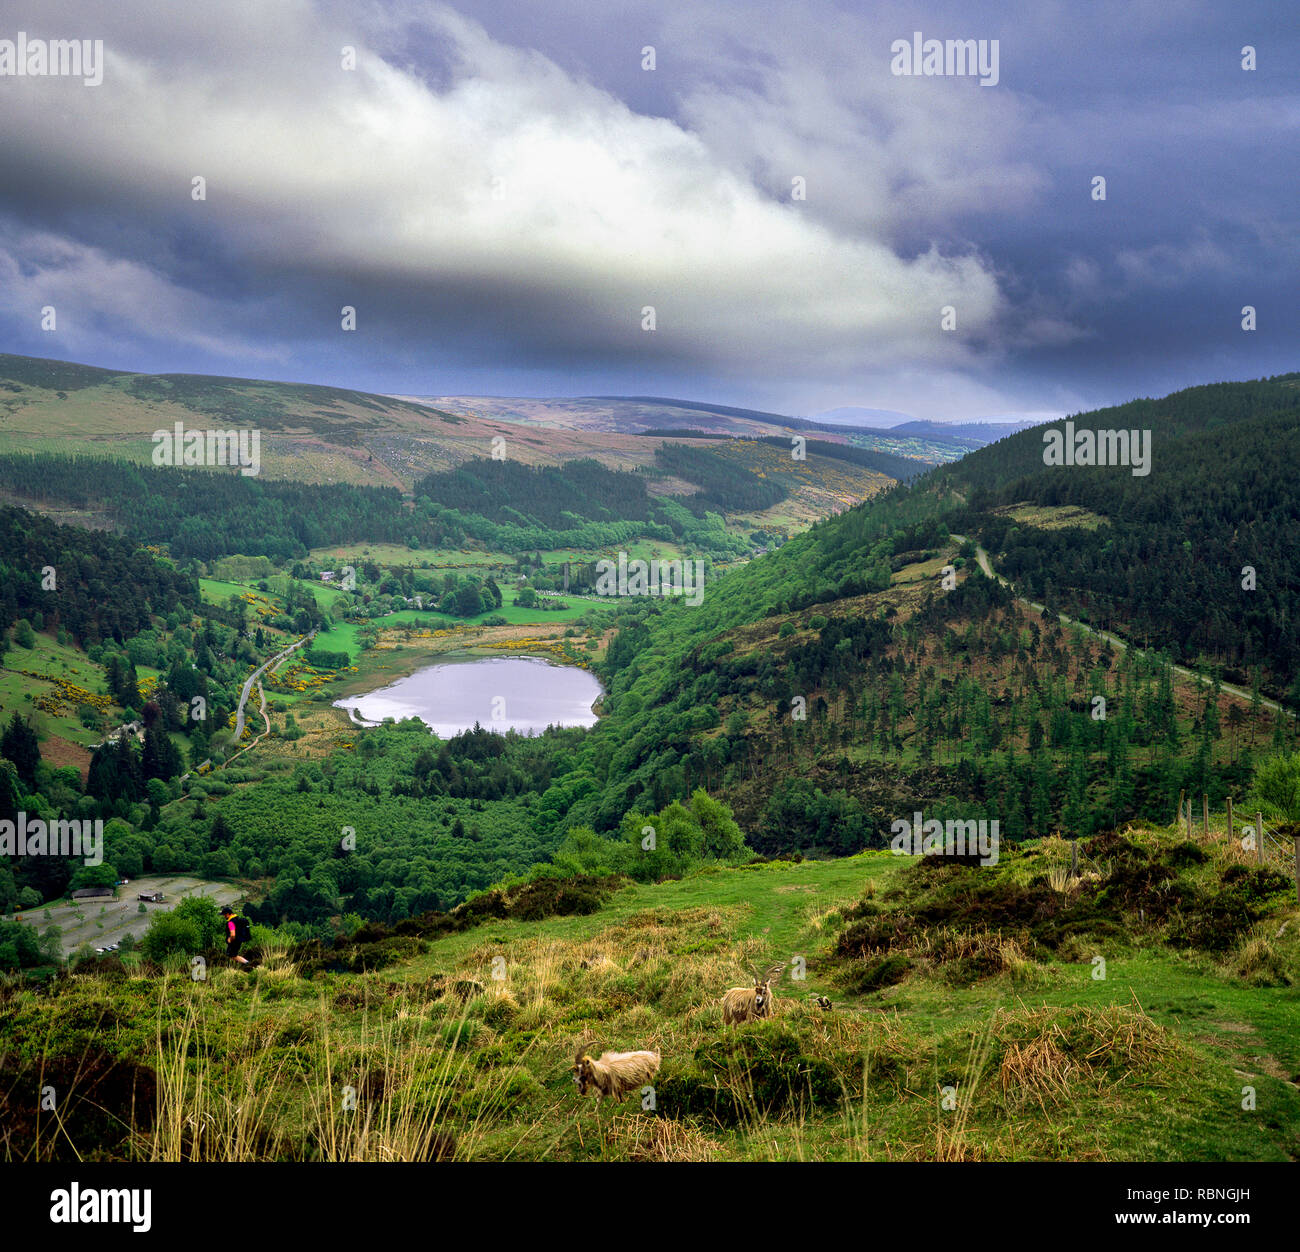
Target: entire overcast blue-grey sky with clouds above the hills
(501, 188)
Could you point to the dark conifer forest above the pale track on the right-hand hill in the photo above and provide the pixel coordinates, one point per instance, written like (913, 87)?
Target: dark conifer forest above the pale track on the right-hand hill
(1198, 557)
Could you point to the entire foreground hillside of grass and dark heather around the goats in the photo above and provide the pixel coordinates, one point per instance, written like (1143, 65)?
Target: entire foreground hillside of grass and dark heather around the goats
(969, 1023)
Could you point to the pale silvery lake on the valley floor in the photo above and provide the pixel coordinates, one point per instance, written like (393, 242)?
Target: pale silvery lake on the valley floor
(501, 694)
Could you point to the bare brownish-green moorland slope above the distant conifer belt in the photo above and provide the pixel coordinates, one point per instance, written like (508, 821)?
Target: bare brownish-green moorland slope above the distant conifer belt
(328, 435)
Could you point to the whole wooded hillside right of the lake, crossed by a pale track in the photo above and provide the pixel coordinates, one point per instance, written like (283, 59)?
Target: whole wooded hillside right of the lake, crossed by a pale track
(847, 661)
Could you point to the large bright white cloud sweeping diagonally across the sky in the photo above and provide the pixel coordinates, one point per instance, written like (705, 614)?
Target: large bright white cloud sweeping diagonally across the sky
(376, 176)
